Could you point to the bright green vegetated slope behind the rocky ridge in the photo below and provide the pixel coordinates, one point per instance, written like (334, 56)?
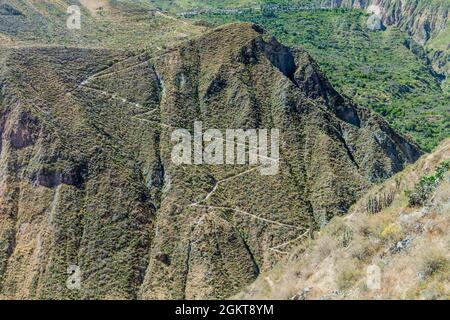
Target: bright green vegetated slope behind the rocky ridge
(384, 70)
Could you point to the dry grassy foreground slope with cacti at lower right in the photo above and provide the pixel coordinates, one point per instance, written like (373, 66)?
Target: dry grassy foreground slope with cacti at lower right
(394, 244)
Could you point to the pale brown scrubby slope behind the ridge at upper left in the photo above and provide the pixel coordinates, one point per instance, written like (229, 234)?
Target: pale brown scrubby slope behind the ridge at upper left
(120, 25)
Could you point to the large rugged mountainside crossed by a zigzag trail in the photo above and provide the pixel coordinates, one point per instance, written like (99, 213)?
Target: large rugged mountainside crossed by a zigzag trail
(87, 177)
